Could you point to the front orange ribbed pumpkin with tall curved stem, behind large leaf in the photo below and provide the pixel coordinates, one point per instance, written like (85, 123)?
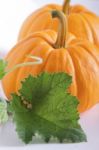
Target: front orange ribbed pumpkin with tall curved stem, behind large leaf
(60, 52)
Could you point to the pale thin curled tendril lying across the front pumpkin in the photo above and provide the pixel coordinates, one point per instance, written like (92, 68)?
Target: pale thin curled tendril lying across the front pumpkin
(38, 61)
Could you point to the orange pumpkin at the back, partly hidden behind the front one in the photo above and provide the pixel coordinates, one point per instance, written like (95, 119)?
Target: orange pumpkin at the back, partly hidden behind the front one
(81, 22)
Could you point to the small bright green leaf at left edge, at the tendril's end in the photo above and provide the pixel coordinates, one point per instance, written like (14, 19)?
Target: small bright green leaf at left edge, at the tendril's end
(3, 65)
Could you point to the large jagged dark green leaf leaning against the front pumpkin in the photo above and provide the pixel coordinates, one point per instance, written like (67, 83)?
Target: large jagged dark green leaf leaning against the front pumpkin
(53, 111)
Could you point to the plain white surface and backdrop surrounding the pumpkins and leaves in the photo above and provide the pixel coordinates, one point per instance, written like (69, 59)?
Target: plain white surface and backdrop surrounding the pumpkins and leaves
(12, 14)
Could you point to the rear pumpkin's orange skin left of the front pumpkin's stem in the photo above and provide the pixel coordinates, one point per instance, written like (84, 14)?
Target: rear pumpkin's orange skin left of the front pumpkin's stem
(39, 20)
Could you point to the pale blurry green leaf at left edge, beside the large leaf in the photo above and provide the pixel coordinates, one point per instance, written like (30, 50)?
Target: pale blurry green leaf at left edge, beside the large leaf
(3, 112)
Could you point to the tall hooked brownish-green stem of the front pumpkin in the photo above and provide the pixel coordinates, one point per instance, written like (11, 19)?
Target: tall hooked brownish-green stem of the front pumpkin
(62, 31)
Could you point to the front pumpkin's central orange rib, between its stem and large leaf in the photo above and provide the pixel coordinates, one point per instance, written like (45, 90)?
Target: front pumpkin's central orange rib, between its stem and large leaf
(68, 67)
